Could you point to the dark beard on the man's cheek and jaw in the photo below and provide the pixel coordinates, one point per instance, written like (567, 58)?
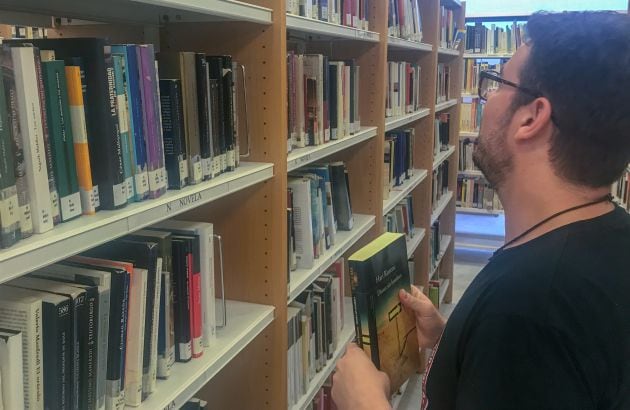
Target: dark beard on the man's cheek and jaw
(492, 156)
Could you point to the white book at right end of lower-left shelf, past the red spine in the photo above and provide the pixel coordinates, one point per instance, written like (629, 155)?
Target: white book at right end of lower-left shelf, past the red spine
(205, 232)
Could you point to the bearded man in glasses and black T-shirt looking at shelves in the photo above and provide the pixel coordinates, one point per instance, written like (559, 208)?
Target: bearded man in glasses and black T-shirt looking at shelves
(546, 324)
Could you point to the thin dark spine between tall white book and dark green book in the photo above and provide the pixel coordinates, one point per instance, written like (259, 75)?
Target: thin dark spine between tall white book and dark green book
(52, 178)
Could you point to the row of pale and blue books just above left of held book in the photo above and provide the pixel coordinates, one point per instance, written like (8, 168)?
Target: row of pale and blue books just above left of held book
(318, 207)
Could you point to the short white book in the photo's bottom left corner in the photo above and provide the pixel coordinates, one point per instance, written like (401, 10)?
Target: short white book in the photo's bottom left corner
(11, 388)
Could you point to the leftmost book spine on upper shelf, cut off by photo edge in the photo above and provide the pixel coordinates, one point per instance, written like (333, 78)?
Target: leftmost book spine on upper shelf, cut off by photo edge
(9, 203)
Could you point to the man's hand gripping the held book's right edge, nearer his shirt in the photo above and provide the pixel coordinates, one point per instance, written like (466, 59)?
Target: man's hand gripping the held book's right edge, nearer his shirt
(429, 322)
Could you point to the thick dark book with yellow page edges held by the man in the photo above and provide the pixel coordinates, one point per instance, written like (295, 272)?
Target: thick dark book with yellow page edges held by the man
(384, 330)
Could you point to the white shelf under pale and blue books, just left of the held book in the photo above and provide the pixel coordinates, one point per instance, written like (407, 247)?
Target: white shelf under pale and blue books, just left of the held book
(302, 278)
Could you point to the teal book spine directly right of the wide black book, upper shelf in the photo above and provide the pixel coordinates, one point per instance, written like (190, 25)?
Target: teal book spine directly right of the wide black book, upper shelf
(123, 126)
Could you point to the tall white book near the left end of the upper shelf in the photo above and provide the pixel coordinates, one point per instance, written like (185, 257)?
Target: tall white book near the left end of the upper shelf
(32, 137)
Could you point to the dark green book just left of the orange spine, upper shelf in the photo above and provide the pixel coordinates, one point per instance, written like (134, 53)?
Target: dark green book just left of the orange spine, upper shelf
(61, 138)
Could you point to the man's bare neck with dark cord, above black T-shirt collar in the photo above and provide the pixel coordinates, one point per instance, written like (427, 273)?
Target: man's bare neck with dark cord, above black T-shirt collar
(527, 204)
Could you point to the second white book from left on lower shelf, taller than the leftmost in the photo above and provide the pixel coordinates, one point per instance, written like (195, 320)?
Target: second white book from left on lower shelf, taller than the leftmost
(25, 315)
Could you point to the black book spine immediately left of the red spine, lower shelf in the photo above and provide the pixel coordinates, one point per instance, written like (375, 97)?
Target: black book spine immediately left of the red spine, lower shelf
(183, 346)
